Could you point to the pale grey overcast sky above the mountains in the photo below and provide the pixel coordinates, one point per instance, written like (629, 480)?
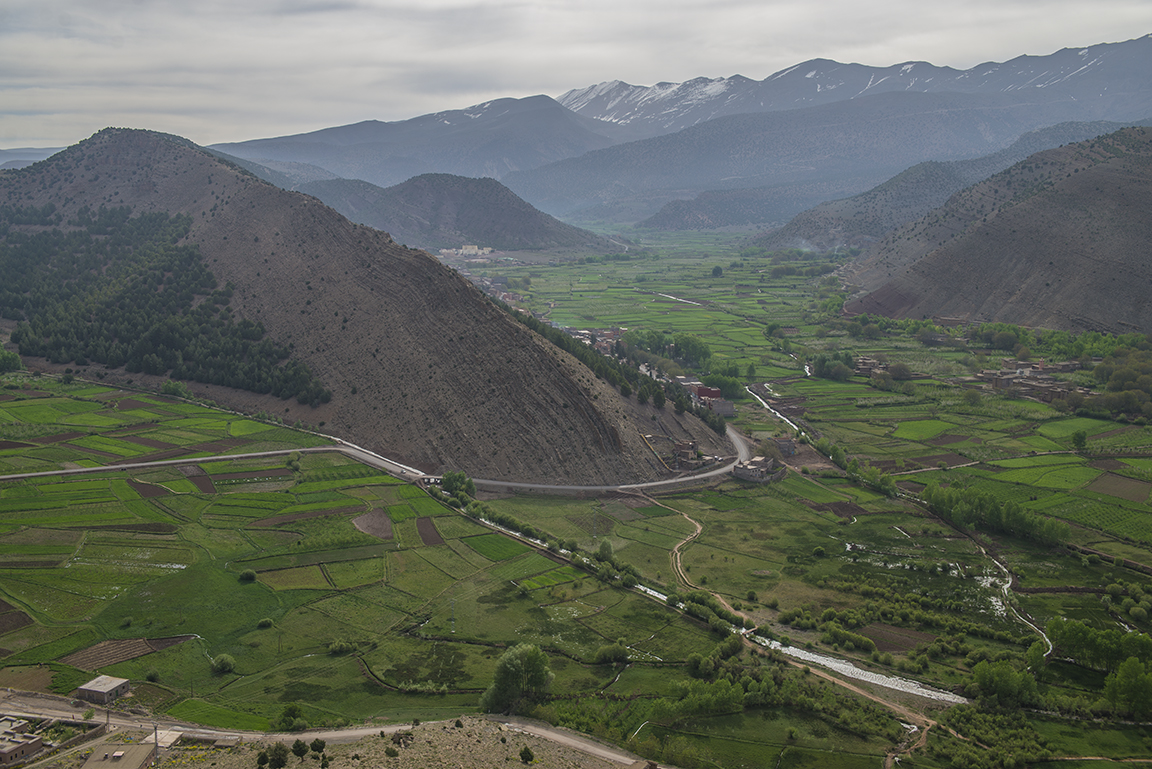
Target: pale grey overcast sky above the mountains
(229, 71)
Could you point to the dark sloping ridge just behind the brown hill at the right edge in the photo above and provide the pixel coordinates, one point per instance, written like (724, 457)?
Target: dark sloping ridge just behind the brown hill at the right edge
(862, 219)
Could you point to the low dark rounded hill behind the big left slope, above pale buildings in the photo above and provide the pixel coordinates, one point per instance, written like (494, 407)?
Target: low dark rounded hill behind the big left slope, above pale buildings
(443, 211)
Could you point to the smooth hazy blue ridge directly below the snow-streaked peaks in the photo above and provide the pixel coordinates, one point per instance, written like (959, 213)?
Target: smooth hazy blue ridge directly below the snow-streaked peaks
(848, 148)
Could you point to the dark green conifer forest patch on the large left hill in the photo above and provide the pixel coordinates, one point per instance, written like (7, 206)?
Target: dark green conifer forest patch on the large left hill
(122, 291)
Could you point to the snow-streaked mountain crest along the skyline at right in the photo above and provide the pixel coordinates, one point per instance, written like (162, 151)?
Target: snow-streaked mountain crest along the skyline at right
(1116, 71)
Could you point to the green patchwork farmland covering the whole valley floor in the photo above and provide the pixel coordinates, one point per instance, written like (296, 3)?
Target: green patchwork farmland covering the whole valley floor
(271, 570)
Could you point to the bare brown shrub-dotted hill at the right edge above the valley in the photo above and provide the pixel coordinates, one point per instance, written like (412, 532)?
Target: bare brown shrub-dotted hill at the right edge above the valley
(1057, 241)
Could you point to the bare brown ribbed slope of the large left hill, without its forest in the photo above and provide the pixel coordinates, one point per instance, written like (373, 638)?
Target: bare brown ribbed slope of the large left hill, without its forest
(421, 366)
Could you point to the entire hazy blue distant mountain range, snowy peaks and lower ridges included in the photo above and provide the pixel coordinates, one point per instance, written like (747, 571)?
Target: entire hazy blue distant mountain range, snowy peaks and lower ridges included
(726, 151)
